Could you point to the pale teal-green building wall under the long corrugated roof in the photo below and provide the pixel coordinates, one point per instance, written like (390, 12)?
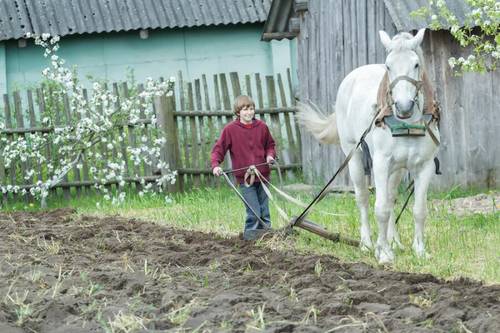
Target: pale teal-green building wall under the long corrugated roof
(194, 51)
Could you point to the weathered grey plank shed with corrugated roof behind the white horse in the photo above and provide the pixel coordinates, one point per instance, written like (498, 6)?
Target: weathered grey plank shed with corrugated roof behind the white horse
(336, 36)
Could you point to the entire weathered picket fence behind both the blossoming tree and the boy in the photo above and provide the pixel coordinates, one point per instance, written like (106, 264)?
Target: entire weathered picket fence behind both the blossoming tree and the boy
(191, 120)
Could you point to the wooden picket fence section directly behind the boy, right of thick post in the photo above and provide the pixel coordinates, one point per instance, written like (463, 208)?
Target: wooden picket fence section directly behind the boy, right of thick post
(201, 116)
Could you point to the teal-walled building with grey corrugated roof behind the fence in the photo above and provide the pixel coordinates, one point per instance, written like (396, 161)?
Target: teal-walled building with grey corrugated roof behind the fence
(151, 38)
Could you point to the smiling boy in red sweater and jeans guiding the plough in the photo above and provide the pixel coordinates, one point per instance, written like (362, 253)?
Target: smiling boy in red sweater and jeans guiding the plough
(249, 143)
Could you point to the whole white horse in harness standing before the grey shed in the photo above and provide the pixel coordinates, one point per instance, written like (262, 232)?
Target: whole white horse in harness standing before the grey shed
(354, 111)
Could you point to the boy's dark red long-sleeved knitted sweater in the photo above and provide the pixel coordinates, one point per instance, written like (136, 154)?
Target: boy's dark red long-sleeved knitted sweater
(247, 145)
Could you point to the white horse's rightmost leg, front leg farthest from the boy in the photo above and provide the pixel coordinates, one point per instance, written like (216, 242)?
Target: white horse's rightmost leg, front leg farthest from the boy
(422, 180)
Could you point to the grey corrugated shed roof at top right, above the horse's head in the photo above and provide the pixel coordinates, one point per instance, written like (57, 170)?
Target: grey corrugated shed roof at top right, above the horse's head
(400, 10)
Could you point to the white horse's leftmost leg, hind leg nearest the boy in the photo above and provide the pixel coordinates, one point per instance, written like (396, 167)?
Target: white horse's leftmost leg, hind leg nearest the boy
(358, 178)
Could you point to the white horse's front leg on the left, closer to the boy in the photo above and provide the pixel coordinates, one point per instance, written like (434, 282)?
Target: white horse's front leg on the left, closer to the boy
(383, 251)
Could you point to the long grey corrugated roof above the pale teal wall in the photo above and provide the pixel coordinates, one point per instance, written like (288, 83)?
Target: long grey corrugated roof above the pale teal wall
(66, 17)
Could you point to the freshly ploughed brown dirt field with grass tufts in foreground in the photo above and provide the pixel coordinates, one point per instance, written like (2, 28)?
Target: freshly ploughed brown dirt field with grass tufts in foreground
(63, 273)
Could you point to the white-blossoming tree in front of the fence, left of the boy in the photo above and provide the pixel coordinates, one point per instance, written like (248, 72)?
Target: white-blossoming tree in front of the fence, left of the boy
(101, 121)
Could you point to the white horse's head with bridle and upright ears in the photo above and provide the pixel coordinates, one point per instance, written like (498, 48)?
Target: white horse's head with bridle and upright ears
(404, 65)
